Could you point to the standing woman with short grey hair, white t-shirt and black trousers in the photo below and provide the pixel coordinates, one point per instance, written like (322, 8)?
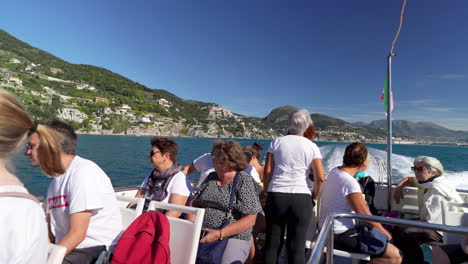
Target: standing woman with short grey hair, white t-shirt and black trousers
(289, 161)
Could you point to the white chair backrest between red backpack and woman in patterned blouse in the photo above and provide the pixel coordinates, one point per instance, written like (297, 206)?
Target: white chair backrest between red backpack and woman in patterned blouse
(185, 234)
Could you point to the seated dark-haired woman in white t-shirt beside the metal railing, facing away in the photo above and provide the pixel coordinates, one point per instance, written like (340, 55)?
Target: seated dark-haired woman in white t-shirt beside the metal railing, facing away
(342, 194)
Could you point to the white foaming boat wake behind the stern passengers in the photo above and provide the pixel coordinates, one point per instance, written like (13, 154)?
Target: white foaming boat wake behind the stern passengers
(333, 156)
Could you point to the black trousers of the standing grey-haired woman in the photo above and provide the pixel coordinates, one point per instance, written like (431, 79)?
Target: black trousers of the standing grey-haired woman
(291, 210)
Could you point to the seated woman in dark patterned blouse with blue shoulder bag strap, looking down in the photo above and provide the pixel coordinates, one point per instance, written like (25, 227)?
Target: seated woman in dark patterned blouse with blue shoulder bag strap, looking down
(214, 196)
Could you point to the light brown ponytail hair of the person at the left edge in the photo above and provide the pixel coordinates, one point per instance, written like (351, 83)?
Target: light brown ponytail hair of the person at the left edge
(15, 126)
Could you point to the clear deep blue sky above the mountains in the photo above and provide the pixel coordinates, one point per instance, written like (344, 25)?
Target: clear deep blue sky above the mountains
(252, 56)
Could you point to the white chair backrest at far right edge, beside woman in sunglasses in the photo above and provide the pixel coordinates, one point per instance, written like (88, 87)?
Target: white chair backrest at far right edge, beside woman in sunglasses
(453, 218)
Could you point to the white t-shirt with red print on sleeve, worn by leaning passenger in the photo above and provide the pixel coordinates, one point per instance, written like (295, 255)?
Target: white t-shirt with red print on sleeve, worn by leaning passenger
(85, 186)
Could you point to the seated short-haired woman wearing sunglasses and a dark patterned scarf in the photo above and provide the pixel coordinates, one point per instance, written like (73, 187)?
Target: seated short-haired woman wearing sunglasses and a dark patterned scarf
(166, 182)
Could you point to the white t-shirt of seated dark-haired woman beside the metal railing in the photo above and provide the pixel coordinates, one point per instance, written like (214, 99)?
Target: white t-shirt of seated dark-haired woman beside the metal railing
(338, 185)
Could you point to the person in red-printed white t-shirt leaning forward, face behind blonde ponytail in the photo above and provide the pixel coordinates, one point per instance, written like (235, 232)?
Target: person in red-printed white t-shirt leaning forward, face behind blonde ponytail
(83, 213)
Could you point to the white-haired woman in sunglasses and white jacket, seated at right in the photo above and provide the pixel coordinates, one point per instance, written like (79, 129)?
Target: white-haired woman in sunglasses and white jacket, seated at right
(433, 188)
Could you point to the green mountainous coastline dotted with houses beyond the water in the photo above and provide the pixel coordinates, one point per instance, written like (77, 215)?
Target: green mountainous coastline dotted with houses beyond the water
(105, 102)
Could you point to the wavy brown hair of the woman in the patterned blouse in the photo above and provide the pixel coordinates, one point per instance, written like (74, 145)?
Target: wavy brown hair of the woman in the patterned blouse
(229, 154)
